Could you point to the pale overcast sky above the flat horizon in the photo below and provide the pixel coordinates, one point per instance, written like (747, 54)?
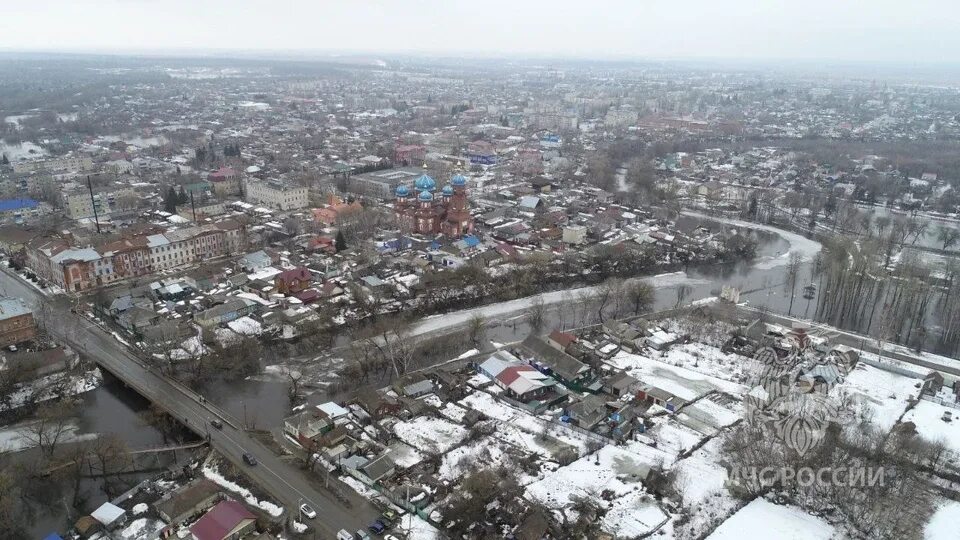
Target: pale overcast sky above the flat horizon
(849, 30)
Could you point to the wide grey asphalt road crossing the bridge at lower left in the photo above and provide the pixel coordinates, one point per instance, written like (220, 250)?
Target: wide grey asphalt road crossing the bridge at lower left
(285, 483)
